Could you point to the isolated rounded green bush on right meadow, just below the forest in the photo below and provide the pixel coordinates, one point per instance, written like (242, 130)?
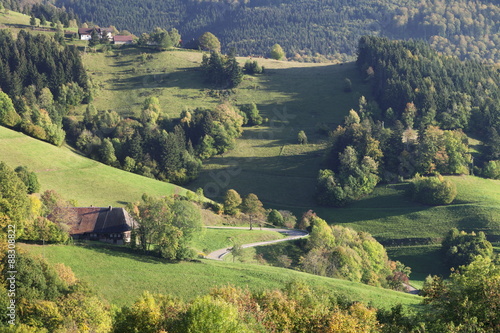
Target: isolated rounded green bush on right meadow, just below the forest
(432, 191)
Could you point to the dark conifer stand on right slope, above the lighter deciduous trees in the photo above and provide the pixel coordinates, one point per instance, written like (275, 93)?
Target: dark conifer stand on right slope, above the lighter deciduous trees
(417, 86)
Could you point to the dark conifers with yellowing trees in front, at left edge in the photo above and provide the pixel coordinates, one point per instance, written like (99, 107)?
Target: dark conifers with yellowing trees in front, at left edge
(40, 78)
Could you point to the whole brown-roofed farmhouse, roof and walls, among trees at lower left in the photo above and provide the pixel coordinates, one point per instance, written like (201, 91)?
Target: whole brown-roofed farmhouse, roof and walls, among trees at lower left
(111, 225)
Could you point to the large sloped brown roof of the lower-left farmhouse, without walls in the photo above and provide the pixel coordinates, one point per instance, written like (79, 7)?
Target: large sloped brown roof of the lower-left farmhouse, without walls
(102, 220)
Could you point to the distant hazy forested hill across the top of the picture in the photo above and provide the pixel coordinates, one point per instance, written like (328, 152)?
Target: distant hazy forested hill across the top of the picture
(304, 27)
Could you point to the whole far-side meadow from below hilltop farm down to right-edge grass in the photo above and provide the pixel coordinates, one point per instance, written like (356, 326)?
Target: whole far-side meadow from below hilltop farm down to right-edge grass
(267, 159)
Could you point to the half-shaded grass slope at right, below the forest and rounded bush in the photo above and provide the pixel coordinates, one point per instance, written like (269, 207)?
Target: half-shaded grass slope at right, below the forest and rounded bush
(389, 215)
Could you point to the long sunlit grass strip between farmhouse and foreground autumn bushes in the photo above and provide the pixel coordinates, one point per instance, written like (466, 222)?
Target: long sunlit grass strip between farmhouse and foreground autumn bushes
(120, 276)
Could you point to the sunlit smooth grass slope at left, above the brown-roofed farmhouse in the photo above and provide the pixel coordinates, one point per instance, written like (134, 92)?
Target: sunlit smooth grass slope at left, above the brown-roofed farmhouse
(77, 177)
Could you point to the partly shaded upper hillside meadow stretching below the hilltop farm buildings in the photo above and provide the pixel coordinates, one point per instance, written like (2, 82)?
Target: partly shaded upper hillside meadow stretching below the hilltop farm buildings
(267, 159)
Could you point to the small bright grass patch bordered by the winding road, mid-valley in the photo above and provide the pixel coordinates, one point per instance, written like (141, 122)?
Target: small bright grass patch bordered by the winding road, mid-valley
(214, 239)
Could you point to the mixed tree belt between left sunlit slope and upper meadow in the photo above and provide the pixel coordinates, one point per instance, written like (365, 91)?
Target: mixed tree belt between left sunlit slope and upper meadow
(156, 146)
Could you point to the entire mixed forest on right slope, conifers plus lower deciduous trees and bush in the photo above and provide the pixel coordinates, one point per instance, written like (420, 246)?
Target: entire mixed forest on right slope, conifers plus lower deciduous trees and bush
(427, 103)
